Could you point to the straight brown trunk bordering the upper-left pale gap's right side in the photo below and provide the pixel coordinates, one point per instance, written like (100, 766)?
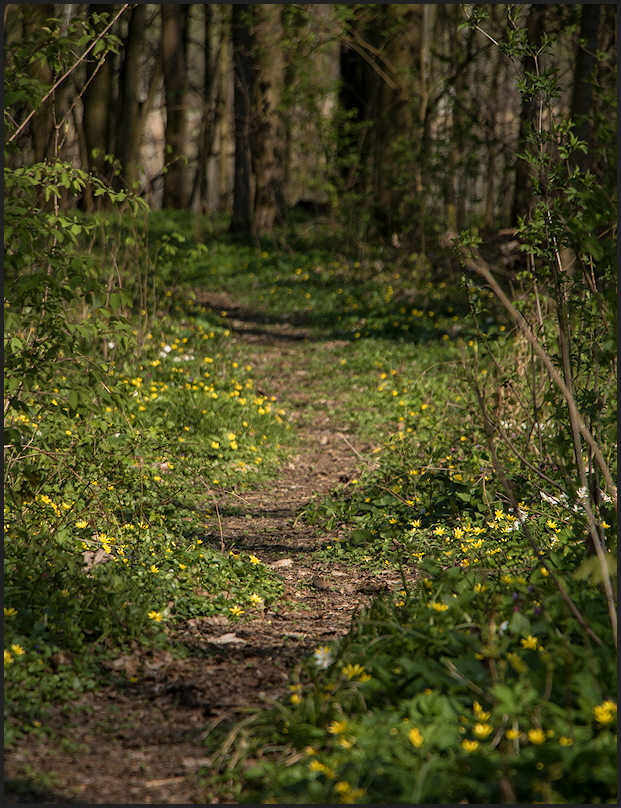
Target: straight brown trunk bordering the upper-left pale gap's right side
(174, 30)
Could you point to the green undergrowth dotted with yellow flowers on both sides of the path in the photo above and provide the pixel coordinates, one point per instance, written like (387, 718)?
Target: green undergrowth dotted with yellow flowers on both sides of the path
(476, 666)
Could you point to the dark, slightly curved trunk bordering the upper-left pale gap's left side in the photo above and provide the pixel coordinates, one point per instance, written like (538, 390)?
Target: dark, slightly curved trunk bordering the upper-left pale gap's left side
(130, 120)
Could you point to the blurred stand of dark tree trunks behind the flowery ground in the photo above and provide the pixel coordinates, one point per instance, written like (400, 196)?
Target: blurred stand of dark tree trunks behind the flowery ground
(393, 114)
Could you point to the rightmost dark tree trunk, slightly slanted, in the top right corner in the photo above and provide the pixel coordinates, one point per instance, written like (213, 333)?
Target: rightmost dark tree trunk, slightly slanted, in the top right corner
(582, 97)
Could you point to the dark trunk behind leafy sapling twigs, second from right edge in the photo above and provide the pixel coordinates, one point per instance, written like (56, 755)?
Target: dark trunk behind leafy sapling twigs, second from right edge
(522, 190)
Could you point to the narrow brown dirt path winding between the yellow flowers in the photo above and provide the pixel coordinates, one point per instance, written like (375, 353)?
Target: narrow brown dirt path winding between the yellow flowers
(146, 741)
